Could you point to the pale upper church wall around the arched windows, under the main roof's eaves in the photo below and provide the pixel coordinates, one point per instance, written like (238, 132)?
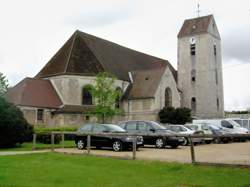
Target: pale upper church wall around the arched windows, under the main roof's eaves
(69, 87)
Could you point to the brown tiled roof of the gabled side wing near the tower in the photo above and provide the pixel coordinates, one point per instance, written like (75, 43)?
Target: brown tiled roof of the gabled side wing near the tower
(145, 84)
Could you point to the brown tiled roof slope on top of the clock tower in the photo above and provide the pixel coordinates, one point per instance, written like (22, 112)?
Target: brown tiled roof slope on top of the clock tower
(195, 26)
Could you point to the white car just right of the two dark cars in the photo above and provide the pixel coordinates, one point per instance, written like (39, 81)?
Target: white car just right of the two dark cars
(181, 129)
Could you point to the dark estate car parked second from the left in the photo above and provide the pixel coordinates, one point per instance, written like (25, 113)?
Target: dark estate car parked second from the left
(151, 127)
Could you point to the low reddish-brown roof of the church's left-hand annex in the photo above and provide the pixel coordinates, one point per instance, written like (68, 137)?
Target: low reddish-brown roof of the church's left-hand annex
(34, 93)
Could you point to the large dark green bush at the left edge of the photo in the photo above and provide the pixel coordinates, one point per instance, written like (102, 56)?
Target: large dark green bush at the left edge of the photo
(13, 126)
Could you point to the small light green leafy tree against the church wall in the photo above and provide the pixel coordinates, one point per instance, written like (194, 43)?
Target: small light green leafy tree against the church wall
(105, 96)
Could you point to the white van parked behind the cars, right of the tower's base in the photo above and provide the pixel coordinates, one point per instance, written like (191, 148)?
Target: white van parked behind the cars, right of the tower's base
(226, 124)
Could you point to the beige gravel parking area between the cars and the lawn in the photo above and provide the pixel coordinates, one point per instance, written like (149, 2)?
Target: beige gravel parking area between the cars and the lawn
(233, 153)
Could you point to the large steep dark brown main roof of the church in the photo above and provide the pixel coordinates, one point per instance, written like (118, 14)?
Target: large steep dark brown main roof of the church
(87, 55)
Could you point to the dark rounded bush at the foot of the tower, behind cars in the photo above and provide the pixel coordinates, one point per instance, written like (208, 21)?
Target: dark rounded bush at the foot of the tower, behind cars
(175, 116)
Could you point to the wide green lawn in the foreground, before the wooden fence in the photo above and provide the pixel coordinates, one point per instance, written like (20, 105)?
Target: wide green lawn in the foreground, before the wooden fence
(52, 169)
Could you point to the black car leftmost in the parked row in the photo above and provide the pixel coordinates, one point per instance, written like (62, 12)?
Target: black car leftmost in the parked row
(116, 142)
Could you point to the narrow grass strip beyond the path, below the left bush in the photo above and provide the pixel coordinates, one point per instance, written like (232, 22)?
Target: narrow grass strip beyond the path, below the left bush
(27, 146)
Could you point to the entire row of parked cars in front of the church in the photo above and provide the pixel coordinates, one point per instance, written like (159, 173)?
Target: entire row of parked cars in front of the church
(161, 134)
